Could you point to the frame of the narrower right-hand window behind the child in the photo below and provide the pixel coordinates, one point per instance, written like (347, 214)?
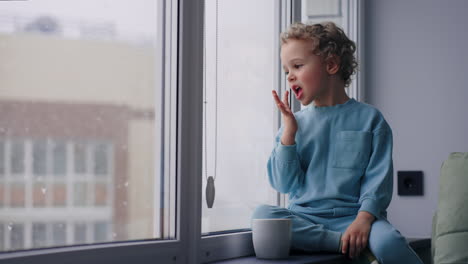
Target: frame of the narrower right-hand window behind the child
(219, 247)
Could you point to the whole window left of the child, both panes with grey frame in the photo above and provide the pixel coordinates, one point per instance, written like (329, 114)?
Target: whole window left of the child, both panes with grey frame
(101, 153)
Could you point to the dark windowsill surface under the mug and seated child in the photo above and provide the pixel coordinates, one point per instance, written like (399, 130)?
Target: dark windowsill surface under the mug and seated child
(418, 244)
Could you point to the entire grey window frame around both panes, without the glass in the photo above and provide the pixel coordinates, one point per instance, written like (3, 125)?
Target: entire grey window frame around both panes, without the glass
(188, 245)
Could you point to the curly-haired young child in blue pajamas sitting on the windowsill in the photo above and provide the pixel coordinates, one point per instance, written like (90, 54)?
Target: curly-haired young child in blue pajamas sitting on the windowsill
(333, 158)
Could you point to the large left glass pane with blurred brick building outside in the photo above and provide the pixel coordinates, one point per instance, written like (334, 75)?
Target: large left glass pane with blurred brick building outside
(80, 134)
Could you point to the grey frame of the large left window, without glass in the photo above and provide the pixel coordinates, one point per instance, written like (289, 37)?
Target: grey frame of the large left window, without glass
(188, 87)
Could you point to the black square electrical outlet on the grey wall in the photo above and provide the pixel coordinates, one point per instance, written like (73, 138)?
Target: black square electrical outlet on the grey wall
(410, 183)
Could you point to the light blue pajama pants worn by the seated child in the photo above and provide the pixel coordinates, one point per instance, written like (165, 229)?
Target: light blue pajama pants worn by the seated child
(322, 233)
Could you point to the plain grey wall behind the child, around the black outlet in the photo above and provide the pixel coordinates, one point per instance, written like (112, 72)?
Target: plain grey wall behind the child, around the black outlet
(417, 75)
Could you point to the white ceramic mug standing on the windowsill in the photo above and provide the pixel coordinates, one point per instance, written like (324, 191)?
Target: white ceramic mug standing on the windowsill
(271, 238)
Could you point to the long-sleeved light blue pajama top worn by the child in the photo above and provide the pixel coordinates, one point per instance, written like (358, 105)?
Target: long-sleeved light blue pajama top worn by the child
(341, 161)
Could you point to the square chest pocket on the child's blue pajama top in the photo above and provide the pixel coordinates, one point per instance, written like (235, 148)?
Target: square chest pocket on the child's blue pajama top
(352, 149)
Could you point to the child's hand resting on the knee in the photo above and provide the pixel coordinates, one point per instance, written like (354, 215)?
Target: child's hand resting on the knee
(357, 234)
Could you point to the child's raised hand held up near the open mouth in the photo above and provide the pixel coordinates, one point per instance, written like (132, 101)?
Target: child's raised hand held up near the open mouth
(290, 124)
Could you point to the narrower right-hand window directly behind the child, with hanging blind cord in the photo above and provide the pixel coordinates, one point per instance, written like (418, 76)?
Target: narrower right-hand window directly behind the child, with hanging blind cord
(240, 119)
